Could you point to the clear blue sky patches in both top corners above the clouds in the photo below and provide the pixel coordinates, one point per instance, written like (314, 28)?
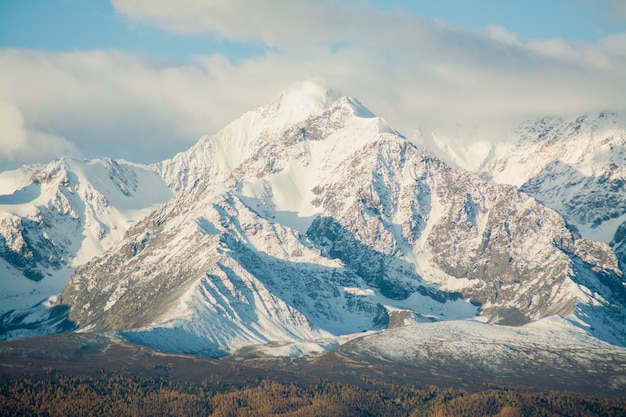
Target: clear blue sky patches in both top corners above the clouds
(69, 25)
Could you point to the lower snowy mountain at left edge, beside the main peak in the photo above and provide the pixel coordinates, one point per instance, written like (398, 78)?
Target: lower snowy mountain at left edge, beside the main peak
(58, 216)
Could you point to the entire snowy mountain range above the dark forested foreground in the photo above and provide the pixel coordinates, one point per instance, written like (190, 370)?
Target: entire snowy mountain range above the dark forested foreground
(310, 228)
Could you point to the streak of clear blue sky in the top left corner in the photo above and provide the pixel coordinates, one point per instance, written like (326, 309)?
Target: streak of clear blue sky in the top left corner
(70, 25)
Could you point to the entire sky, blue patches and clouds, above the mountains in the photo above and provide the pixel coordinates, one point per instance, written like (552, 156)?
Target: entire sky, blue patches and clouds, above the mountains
(143, 79)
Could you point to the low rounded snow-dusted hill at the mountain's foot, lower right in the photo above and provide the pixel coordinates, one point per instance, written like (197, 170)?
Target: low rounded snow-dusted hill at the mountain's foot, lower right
(545, 355)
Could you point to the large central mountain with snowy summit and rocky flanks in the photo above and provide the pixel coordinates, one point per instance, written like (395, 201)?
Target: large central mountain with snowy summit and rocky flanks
(292, 225)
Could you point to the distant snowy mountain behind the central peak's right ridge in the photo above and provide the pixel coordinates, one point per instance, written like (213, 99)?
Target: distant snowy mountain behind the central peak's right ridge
(577, 167)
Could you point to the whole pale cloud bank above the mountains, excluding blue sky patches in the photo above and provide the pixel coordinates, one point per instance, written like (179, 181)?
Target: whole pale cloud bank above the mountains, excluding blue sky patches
(413, 71)
